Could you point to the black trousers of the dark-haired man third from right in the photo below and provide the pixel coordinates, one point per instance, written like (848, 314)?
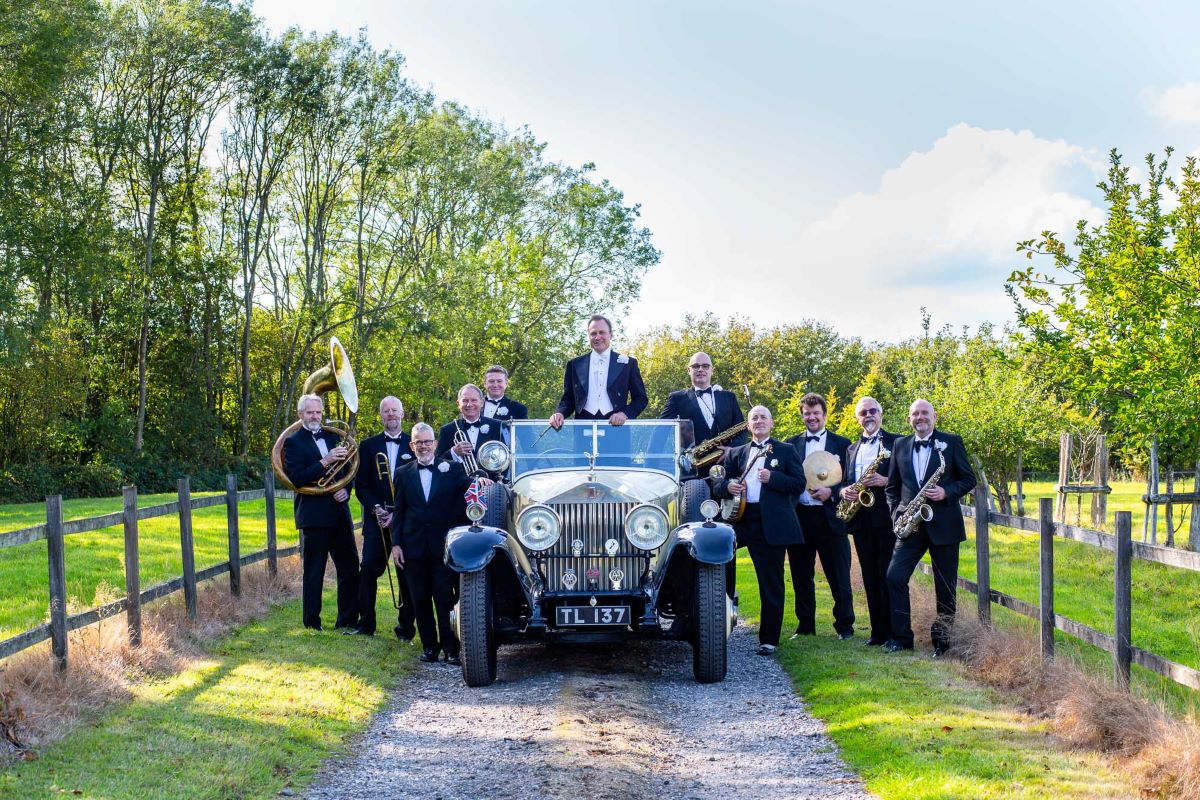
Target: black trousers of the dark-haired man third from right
(835, 551)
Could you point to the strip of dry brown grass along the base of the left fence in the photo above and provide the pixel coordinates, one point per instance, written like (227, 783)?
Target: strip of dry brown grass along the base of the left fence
(40, 705)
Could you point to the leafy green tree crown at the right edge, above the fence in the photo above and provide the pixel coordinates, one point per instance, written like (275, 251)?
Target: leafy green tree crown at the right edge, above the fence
(1115, 320)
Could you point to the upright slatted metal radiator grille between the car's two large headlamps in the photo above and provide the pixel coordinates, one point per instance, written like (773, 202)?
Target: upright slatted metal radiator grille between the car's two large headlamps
(593, 524)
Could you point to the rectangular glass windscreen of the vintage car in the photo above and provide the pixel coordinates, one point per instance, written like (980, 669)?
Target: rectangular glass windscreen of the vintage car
(580, 444)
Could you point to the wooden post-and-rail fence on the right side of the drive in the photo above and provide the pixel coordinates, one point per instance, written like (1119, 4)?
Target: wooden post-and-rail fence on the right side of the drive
(1125, 551)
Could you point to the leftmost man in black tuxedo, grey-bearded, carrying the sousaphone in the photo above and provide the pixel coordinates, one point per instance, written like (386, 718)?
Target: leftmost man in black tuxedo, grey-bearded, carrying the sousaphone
(323, 520)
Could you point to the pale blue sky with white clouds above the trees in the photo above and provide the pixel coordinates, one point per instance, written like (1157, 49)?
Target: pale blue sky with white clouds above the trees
(841, 163)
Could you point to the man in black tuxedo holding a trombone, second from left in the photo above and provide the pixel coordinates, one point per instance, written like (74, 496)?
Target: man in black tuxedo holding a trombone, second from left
(380, 458)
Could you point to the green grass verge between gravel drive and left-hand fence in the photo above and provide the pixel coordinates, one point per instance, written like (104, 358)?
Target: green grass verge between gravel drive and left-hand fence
(262, 712)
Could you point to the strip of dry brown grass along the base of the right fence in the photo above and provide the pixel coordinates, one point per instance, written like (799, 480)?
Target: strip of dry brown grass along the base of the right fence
(1162, 754)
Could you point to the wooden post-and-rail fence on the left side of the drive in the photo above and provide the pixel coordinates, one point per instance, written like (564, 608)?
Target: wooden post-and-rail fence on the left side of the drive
(55, 532)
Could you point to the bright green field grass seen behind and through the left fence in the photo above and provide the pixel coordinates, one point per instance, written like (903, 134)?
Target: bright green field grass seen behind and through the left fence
(95, 561)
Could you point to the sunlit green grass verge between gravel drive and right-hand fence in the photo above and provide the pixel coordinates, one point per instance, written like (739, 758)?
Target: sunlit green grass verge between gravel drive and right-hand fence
(917, 729)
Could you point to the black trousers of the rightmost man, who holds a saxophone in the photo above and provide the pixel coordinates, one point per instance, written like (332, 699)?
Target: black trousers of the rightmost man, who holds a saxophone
(946, 576)
